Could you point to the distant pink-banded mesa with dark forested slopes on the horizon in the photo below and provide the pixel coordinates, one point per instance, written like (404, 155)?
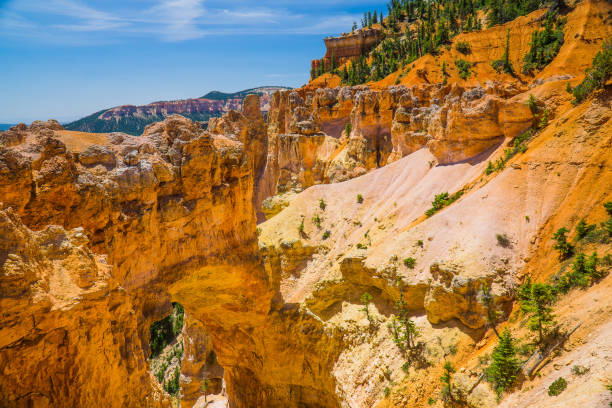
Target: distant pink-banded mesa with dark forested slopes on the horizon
(133, 119)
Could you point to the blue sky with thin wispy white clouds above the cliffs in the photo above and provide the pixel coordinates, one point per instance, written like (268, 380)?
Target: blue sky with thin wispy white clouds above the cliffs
(65, 59)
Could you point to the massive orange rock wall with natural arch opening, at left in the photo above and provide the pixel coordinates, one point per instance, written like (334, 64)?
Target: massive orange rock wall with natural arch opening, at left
(98, 239)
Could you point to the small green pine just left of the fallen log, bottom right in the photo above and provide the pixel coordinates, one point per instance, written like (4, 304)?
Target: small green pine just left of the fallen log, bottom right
(502, 371)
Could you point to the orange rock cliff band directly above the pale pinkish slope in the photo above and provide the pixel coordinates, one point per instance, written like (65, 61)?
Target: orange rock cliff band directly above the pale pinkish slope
(308, 143)
